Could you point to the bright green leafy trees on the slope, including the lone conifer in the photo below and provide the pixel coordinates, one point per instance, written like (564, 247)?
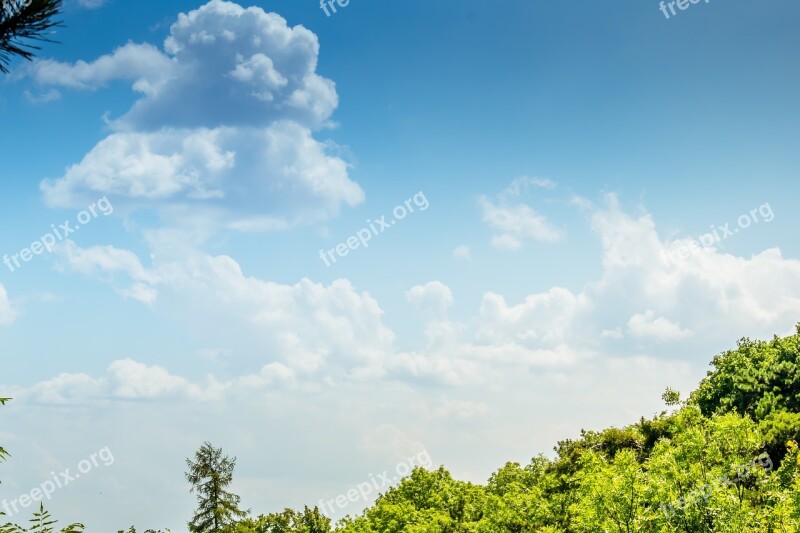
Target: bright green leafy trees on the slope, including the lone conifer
(726, 459)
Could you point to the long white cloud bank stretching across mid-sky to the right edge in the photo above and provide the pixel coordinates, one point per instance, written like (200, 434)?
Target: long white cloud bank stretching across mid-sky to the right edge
(332, 333)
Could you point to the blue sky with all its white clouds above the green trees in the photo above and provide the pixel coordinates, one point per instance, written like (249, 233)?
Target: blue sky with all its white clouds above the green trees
(333, 243)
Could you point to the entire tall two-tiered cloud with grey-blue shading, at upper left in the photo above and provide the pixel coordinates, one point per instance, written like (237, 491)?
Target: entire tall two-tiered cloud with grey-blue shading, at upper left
(223, 125)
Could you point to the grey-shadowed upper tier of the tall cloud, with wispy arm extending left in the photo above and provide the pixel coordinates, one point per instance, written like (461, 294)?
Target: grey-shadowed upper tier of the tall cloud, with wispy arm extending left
(240, 66)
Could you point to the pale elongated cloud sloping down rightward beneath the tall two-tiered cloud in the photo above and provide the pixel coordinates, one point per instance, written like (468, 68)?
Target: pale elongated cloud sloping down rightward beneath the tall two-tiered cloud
(305, 325)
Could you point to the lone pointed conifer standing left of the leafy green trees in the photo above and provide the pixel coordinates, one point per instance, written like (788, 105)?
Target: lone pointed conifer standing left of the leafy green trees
(209, 474)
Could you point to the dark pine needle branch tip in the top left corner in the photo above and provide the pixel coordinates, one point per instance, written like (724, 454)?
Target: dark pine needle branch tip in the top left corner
(22, 21)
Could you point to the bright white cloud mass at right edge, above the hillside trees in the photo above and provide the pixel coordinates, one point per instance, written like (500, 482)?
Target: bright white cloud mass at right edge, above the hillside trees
(717, 293)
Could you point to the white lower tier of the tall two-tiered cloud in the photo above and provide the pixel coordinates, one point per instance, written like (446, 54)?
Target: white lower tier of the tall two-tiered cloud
(280, 170)
